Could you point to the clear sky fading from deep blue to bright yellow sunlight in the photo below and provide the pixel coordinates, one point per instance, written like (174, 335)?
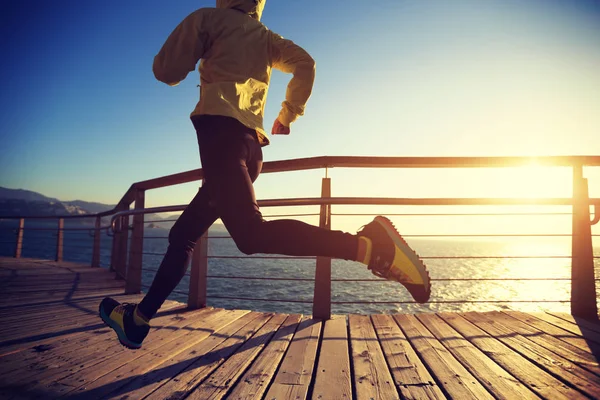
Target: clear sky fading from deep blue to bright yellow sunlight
(82, 117)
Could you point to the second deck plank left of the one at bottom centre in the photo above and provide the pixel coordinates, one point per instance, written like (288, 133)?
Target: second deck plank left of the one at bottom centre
(225, 377)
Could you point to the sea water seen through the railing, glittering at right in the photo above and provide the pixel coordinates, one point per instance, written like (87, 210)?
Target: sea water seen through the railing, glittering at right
(458, 283)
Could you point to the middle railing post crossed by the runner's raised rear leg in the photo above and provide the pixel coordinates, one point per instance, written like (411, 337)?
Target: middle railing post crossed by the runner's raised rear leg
(322, 295)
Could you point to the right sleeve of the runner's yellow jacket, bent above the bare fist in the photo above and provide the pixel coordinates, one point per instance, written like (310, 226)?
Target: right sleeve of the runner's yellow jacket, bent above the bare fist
(291, 58)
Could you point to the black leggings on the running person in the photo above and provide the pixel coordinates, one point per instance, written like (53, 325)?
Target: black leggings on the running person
(232, 160)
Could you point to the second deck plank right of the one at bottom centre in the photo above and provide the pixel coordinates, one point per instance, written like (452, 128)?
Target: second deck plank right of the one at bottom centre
(372, 378)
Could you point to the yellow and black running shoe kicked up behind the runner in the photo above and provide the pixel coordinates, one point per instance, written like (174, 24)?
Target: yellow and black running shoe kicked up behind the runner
(393, 259)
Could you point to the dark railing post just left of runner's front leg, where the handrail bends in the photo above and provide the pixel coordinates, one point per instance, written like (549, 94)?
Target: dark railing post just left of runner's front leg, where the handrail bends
(134, 269)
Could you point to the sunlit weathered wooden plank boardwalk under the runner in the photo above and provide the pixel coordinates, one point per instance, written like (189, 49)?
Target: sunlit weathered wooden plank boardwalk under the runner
(53, 345)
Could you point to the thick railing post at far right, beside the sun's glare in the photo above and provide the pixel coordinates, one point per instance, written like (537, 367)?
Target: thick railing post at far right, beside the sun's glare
(583, 283)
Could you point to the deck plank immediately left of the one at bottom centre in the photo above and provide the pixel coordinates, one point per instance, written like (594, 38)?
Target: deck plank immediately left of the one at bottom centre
(255, 381)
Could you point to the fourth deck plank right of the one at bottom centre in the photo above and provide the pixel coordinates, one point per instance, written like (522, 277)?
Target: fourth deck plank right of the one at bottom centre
(453, 378)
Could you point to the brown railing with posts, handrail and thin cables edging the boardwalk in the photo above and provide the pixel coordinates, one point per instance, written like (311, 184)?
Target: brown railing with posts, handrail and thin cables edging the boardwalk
(128, 240)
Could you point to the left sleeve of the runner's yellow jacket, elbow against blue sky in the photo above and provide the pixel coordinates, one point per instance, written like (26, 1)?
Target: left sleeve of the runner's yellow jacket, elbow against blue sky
(182, 50)
